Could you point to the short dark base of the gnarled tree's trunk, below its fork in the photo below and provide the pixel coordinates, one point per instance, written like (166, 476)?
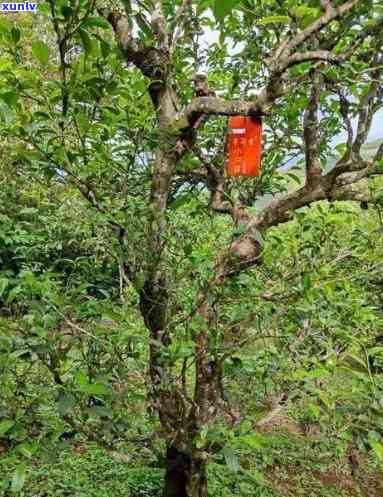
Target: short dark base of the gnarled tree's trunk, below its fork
(185, 476)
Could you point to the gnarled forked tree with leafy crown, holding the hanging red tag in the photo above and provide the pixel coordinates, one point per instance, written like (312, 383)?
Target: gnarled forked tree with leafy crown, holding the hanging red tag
(132, 124)
